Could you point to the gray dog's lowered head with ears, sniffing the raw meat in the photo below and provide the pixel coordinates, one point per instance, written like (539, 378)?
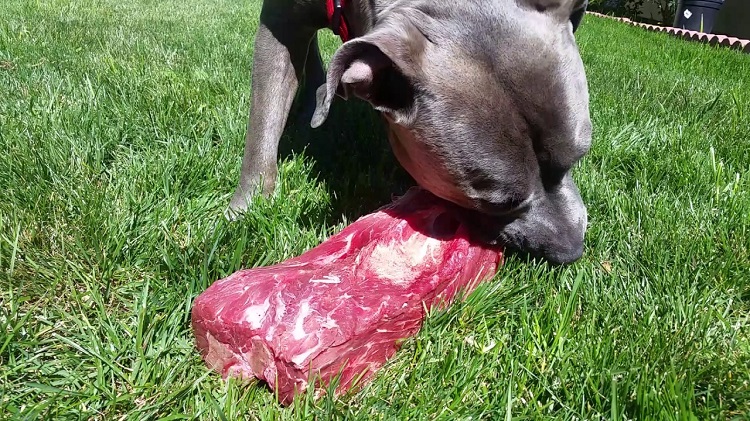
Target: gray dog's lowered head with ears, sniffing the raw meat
(487, 107)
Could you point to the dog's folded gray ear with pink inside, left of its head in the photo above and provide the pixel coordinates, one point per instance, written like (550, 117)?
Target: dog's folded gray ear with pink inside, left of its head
(380, 68)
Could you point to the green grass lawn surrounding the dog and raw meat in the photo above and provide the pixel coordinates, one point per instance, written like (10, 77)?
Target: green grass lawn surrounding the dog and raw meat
(121, 128)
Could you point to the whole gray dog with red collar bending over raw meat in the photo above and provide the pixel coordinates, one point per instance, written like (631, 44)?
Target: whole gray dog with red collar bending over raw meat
(486, 103)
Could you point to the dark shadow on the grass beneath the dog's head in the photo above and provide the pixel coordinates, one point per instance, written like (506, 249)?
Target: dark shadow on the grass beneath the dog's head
(350, 153)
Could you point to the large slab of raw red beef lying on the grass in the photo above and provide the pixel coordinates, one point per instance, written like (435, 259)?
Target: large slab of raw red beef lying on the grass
(344, 307)
